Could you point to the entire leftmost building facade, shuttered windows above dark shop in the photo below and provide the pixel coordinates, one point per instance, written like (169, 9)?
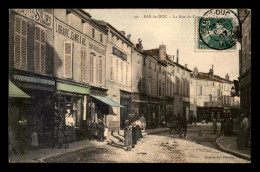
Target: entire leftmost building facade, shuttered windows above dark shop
(31, 82)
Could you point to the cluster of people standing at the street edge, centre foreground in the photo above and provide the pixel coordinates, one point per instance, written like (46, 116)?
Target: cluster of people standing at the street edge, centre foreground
(134, 125)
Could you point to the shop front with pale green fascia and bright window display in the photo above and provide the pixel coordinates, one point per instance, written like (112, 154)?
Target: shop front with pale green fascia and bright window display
(71, 109)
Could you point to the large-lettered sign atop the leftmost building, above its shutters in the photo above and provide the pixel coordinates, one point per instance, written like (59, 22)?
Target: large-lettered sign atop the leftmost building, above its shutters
(37, 15)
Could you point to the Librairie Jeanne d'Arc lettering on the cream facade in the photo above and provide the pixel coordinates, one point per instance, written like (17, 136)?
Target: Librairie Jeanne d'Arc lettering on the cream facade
(70, 33)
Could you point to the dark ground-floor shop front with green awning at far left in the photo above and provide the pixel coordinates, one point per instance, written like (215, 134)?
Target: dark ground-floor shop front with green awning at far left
(31, 108)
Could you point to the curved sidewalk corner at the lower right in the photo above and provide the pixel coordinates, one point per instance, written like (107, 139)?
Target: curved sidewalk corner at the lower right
(228, 144)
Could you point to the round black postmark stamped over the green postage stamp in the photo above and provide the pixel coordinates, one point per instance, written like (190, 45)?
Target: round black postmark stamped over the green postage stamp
(219, 29)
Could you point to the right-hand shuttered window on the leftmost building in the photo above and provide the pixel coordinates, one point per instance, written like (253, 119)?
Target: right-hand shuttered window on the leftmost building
(40, 49)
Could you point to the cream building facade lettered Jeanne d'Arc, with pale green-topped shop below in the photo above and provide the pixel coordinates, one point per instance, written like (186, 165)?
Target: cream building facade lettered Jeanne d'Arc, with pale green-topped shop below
(79, 69)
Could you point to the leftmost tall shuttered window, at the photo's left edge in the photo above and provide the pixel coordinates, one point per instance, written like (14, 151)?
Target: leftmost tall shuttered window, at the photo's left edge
(20, 43)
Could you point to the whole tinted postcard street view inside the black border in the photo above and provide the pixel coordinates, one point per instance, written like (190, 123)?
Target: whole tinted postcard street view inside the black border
(129, 86)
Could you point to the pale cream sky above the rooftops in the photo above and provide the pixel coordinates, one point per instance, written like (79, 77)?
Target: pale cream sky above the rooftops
(175, 32)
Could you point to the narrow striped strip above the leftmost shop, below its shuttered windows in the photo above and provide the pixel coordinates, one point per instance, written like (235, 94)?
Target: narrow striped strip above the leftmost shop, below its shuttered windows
(34, 80)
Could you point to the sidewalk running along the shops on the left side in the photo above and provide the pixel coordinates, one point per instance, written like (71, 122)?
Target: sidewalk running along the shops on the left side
(43, 153)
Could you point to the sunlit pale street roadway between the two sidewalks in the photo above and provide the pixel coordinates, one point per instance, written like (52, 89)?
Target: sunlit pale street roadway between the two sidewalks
(156, 148)
